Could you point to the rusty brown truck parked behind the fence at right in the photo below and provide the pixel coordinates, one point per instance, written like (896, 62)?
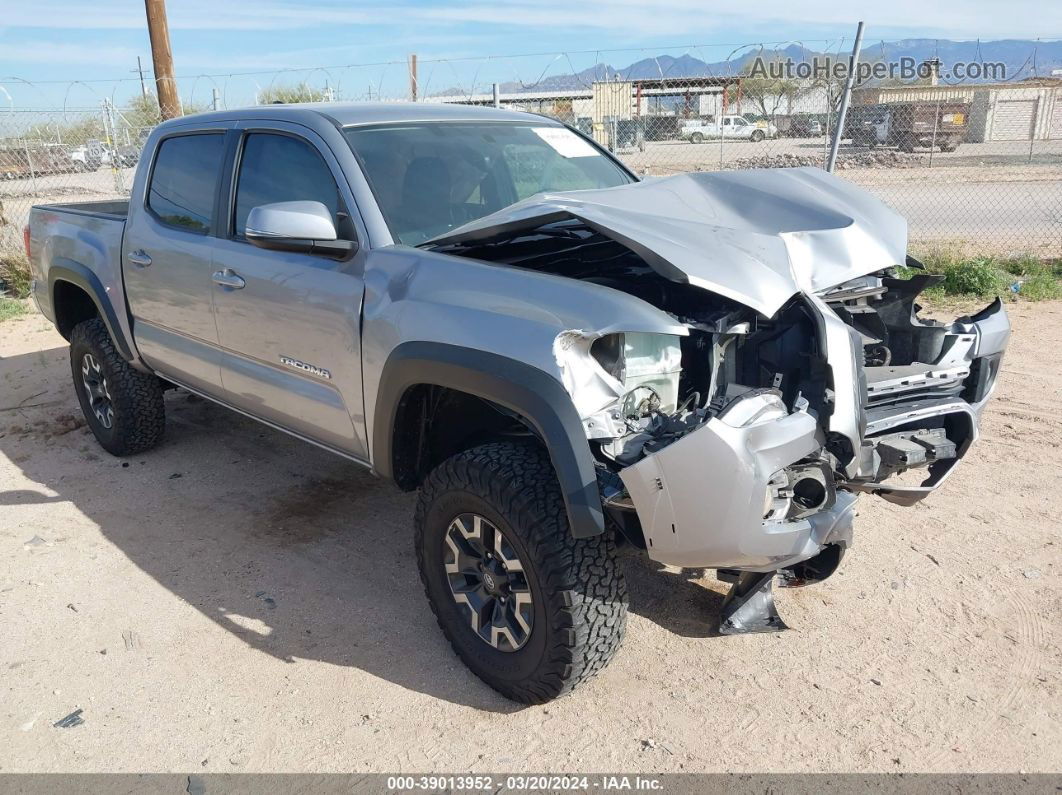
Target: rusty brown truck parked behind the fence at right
(910, 125)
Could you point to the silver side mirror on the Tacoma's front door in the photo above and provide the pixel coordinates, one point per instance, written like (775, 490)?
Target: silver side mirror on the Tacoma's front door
(297, 227)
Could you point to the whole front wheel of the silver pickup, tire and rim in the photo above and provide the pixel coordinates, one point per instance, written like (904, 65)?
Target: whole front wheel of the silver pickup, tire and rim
(530, 610)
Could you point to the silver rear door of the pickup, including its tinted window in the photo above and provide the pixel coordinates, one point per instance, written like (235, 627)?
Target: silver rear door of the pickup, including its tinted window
(167, 258)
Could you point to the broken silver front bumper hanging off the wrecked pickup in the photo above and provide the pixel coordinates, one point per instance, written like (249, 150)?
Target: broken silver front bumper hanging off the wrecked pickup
(701, 500)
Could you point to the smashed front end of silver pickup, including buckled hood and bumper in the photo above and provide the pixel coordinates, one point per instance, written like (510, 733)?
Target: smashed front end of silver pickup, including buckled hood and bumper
(804, 375)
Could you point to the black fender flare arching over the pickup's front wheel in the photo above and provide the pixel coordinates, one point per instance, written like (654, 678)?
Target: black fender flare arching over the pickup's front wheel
(521, 388)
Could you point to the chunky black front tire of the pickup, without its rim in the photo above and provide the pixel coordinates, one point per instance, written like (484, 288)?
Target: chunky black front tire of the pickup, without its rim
(579, 593)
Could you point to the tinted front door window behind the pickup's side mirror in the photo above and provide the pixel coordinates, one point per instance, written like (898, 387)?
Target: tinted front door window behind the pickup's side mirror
(279, 168)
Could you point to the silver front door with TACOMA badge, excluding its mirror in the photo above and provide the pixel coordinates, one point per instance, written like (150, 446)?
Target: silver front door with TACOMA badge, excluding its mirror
(290, 332)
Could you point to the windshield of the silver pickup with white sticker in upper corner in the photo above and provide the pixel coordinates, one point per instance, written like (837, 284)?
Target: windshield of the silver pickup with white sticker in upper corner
(431, 178)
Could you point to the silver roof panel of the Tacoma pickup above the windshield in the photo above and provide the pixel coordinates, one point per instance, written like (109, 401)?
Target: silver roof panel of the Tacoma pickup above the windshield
(346, 114)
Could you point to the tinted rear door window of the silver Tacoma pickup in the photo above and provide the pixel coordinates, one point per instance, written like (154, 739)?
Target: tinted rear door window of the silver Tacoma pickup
(184, 180)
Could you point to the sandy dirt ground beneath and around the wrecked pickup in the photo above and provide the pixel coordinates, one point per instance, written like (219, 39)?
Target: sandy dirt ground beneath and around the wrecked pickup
(239, 601)
